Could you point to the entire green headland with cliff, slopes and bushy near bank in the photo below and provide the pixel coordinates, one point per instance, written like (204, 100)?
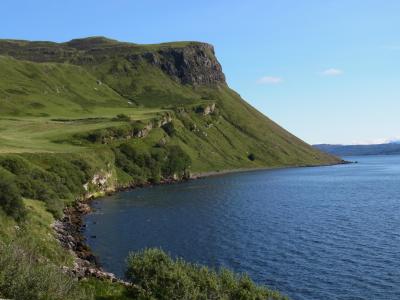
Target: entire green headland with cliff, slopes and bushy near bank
(89, 116)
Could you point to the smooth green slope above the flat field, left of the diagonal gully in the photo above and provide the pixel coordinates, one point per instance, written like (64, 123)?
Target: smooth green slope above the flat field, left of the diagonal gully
(37, 90)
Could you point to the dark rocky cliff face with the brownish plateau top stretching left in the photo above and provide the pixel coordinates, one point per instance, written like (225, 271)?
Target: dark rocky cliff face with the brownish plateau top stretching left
(192, 63)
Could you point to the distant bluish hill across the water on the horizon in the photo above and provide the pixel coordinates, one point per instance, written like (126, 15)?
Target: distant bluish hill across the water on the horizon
(354, 150)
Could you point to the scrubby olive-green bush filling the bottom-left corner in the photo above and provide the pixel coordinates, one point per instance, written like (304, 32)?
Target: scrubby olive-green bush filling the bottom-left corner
(24, 275)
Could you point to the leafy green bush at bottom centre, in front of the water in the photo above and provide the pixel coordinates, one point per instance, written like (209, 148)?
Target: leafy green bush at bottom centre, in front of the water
(157, 276)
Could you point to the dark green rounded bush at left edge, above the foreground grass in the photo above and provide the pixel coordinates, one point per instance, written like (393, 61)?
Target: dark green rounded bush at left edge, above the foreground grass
(10, 197)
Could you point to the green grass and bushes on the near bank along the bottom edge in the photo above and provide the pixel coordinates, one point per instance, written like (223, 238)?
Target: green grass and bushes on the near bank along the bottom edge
(31, 260)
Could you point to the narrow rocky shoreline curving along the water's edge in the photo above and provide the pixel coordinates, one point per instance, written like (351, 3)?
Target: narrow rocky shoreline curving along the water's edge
(69, 230)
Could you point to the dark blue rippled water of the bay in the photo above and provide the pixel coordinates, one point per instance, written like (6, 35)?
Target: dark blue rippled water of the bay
(312, 233)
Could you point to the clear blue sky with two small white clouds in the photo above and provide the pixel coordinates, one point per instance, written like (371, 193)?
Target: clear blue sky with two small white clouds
(328, 71)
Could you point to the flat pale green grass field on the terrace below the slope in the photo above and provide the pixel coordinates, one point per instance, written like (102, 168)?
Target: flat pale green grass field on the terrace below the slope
(38, 134)
